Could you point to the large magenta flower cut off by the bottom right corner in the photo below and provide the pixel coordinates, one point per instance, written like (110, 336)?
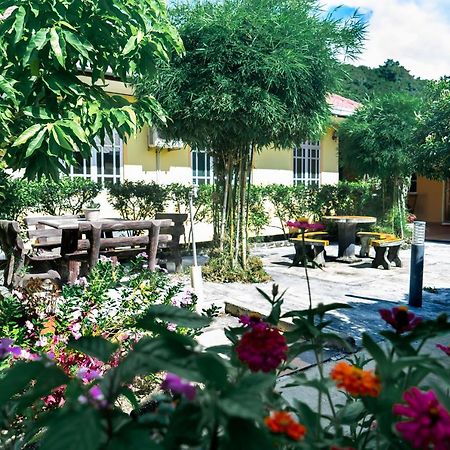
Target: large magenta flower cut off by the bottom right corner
(429, 426)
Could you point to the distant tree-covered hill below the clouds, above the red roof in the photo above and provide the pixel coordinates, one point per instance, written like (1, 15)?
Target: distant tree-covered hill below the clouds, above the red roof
(362, 83)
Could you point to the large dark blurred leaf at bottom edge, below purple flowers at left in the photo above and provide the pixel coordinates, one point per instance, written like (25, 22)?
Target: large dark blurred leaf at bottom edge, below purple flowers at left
(75, 430)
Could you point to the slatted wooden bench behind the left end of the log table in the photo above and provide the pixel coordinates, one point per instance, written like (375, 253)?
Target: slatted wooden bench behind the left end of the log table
(42, 236)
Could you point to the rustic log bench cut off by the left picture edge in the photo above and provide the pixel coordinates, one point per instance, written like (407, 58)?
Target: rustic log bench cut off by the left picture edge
(18, 260)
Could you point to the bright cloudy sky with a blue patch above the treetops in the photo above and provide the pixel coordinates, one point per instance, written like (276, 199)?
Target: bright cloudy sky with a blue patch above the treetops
(414, 32)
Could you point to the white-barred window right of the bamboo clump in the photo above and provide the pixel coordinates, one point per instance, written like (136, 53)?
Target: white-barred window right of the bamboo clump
(307, 163)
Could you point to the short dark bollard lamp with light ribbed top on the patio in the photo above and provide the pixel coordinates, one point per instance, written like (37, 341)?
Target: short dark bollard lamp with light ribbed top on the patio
(416, 270)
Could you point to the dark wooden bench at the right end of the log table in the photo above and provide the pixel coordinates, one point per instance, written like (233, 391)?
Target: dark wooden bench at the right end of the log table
(169, 237)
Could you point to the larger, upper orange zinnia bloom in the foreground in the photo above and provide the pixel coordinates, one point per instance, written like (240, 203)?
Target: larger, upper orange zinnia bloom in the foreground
(356, 381)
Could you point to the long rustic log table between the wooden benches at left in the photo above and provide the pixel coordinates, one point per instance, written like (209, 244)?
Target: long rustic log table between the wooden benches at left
(99, 239)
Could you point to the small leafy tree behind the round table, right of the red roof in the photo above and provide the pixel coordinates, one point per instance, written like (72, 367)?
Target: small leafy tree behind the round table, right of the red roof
(378, 141)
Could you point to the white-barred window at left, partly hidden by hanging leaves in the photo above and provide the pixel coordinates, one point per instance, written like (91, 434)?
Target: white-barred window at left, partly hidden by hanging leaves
(105, 164)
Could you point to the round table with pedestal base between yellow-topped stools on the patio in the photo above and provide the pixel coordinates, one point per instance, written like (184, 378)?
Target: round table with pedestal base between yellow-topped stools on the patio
(347, 235)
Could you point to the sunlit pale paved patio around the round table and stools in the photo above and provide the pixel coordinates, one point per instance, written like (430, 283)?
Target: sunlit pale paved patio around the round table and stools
(358, 285)
